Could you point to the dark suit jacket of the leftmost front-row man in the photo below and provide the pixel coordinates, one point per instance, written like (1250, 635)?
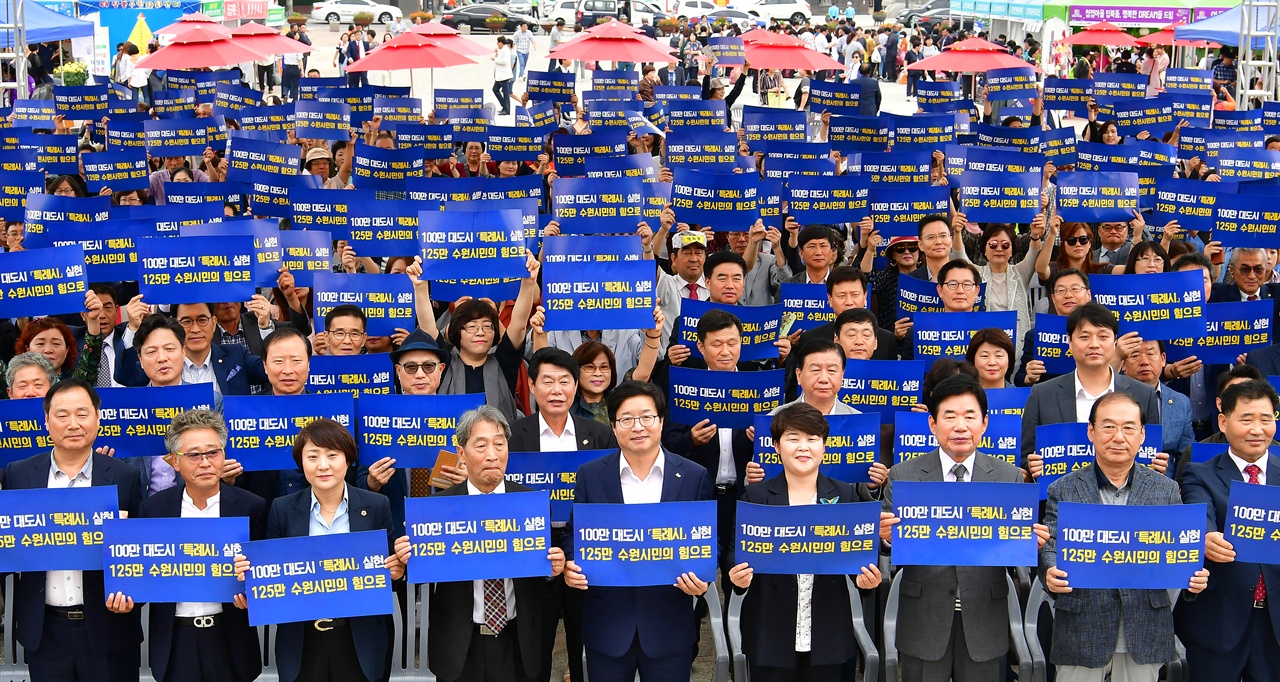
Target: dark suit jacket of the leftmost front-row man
(108, 633)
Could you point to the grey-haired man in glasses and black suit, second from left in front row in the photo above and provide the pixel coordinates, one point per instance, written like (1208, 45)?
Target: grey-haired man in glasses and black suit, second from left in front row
(191, 642)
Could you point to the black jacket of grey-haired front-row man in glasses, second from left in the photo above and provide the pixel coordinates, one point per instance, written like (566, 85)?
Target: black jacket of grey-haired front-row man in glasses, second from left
(246, 656)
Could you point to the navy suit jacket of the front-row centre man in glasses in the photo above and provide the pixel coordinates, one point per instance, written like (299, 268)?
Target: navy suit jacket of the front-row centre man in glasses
(661, 616)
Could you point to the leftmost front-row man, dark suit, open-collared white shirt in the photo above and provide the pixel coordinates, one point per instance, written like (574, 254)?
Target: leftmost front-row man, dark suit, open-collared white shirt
(62, 617)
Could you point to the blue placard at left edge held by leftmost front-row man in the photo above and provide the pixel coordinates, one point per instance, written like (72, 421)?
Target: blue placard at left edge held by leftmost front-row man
(49, 529)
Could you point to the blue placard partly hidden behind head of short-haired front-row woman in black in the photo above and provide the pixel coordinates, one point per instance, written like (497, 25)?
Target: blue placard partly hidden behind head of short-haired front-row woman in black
(851, 448)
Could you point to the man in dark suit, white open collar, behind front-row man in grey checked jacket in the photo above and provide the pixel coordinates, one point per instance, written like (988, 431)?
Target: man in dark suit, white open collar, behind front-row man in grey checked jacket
(1092, 333)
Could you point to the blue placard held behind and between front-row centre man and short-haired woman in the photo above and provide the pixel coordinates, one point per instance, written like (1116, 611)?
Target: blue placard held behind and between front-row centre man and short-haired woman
(728, 400)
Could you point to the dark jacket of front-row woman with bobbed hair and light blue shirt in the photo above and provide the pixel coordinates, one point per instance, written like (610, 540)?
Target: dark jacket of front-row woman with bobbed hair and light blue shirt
(291, 518)
